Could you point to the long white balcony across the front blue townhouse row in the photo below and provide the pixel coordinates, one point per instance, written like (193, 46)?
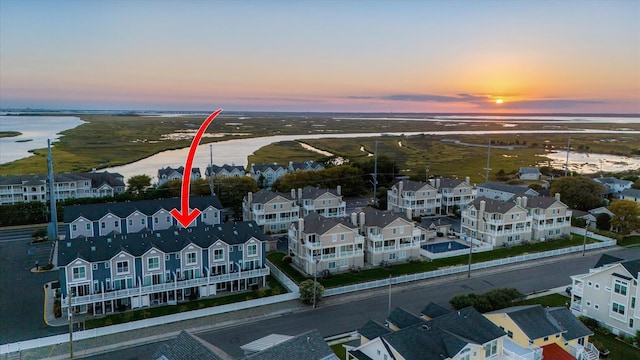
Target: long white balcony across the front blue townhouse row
(169, 286)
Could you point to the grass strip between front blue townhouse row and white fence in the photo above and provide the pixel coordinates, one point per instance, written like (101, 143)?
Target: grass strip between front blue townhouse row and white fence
(275, 288)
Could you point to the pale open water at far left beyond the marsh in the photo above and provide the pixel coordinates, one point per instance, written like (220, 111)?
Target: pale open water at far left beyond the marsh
(35, 132)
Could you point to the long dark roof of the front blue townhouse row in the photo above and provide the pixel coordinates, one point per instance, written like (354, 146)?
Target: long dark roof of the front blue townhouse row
(103, 248)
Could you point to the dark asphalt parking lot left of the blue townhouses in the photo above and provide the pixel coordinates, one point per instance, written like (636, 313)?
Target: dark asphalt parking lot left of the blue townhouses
(21, 292)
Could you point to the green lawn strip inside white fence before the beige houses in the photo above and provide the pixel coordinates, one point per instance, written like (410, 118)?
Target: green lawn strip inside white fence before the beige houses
(377, 273)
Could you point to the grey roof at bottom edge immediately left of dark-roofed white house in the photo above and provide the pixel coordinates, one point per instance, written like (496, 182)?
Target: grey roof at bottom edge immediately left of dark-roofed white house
(308, 346)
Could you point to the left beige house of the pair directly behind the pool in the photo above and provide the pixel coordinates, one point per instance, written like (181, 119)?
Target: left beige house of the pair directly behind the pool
(414, 198)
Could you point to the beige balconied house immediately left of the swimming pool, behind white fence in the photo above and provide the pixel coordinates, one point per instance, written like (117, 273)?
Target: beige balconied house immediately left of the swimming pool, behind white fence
(389, 236)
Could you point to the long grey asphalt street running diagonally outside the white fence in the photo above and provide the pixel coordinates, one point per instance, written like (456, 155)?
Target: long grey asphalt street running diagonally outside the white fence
(331, 320)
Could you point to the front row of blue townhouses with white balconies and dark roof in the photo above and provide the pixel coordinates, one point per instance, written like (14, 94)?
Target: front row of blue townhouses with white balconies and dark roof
(117, 272)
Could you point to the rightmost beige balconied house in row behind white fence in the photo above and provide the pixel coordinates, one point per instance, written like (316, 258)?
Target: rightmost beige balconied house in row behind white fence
(551, 219)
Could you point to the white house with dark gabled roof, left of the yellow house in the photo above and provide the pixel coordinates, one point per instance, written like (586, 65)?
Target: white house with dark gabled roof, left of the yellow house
(459, 335)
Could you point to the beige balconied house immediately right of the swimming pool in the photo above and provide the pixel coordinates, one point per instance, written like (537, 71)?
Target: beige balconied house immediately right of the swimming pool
(496, 222)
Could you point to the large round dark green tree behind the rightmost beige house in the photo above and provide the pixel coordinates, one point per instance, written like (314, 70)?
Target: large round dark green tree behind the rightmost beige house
(579, 192)
